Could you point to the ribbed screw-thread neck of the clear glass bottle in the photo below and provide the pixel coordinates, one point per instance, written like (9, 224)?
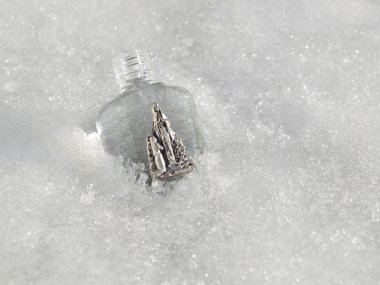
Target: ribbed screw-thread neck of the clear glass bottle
(132, 69)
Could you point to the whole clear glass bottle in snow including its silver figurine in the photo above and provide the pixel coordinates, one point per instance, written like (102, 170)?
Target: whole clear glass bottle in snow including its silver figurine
(135, 125)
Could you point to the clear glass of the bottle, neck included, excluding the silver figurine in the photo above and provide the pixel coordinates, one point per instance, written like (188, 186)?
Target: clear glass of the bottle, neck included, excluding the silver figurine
(124, 123)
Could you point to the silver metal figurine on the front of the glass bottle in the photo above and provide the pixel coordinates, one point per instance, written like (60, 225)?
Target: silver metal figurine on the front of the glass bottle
(166, 151)
